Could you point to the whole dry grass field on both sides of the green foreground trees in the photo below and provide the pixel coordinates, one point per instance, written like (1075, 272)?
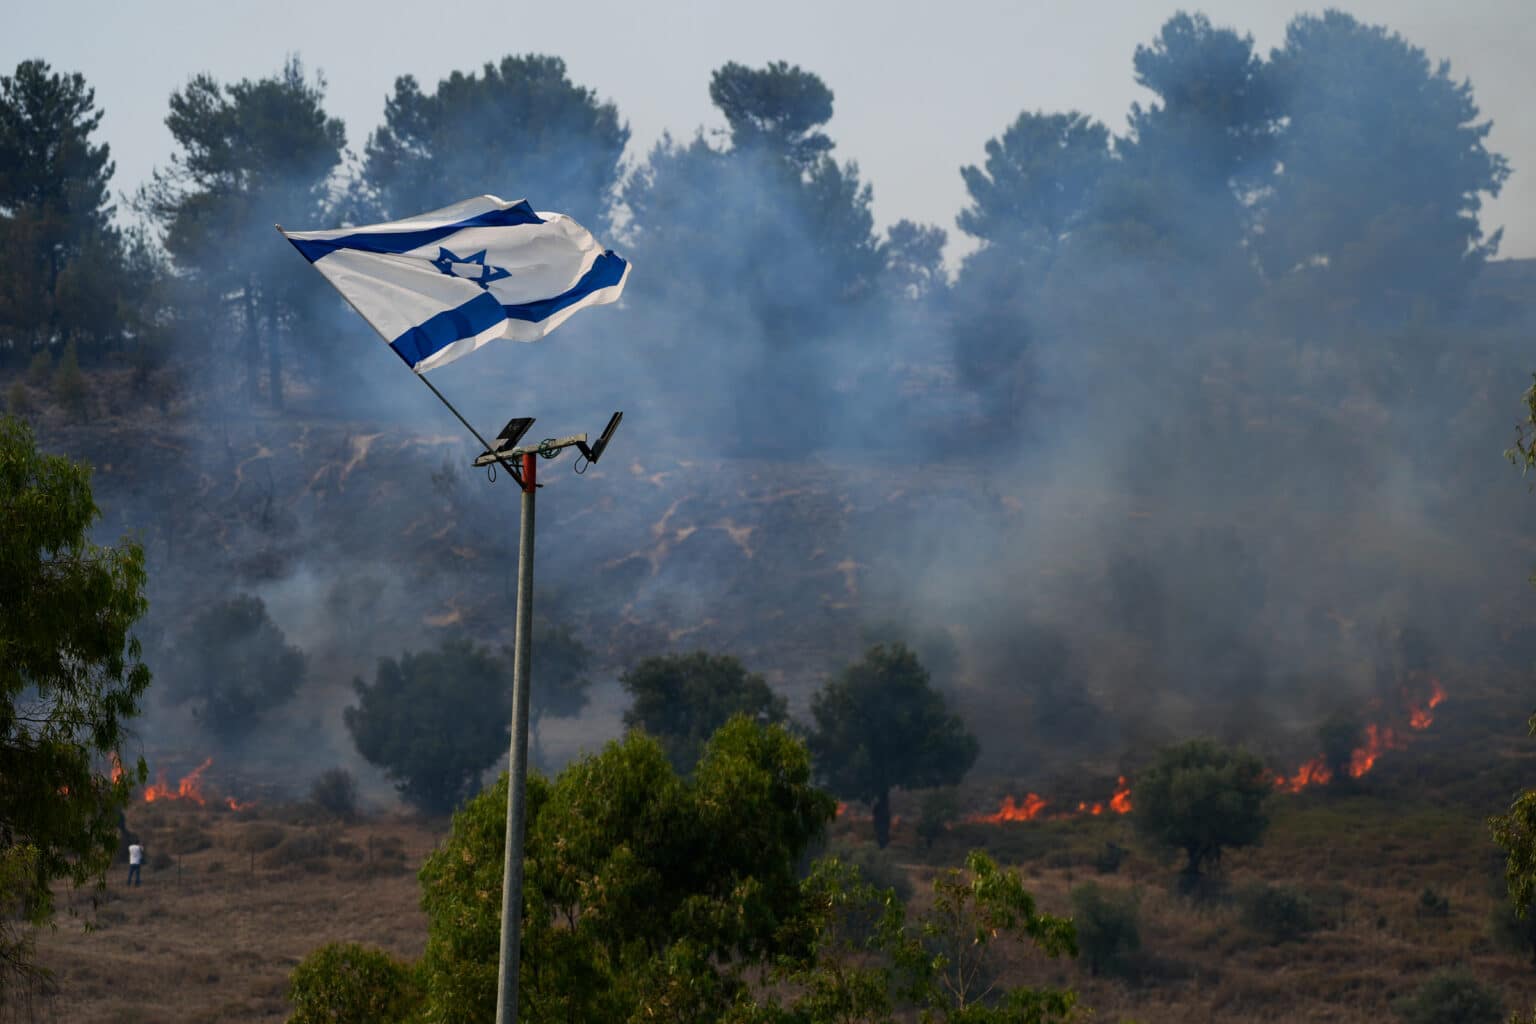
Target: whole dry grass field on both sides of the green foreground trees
(233, 900)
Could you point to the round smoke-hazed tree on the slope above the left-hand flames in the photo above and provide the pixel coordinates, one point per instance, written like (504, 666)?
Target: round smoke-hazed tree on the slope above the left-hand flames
(234, 666)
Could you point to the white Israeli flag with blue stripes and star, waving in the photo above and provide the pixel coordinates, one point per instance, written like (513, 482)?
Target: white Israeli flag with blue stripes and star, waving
(442, 285)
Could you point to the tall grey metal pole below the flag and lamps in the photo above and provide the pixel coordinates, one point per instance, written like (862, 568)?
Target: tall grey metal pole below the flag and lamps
(518, 761)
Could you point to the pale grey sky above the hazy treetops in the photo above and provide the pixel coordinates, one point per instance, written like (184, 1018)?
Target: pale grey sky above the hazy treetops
(919, 87)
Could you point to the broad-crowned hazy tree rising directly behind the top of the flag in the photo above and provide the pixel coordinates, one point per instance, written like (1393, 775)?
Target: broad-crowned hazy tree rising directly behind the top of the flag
(520, 130)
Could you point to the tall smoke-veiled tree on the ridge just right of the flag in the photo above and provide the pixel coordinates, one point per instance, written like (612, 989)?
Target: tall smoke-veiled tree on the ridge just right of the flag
(789, 226)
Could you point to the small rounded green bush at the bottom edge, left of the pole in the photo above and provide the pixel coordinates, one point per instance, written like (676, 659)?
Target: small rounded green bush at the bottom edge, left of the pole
(351, 985)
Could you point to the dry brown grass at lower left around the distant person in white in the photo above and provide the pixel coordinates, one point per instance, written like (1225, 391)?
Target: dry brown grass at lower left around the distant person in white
(216, 937)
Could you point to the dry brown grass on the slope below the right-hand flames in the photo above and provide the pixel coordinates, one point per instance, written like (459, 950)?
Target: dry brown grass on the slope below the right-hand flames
(1363, 860)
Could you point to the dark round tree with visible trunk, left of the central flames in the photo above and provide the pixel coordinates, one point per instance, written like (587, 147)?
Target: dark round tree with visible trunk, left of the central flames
(881, 725)
